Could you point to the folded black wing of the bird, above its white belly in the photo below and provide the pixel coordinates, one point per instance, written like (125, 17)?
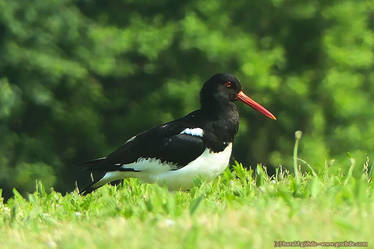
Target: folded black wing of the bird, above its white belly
(165, 143)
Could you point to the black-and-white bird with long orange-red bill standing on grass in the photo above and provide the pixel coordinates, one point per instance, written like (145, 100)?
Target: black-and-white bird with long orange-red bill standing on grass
(175, 153)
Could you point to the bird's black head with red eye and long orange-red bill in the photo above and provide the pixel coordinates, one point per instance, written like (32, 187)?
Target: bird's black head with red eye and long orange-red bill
(223, 88)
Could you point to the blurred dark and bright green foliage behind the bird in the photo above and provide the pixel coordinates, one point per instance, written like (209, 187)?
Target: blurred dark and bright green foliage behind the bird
(79, 77)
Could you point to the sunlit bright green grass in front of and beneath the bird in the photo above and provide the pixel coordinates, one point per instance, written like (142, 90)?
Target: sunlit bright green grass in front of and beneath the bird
(240, 209)
